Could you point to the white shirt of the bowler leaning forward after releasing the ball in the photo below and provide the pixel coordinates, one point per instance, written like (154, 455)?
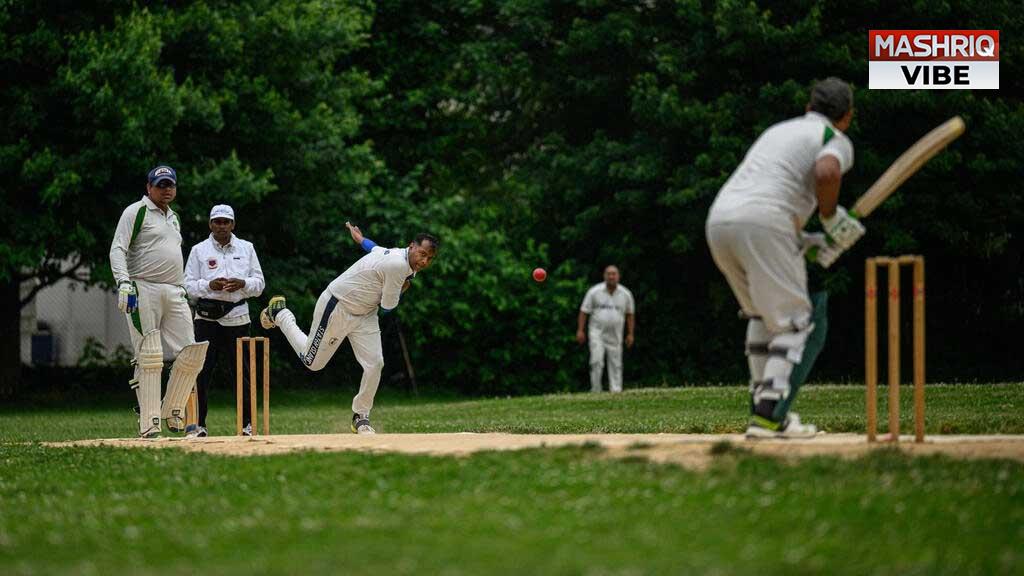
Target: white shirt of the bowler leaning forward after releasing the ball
(375, 280)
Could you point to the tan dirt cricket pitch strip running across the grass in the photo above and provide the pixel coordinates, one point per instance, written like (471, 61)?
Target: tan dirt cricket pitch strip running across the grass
(695, 451)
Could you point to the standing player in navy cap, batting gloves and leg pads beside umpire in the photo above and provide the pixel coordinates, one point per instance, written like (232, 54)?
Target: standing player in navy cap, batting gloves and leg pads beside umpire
(146, 260)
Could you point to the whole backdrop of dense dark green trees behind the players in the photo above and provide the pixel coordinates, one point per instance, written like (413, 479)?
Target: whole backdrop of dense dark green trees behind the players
(532, 133)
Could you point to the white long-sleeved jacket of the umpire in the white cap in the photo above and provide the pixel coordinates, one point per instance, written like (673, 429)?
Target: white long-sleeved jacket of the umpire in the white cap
(209, 261)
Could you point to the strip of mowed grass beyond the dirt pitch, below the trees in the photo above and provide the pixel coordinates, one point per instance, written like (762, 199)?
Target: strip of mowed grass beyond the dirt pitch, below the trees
(951, 409)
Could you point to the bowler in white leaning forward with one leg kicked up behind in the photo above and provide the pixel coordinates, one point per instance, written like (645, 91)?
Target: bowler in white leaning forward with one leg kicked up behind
(349, 309)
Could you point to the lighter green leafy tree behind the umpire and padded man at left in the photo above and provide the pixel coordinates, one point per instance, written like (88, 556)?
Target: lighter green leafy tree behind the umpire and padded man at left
(228, 95)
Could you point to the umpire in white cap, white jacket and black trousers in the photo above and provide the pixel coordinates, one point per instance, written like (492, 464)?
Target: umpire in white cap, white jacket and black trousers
(223, 272)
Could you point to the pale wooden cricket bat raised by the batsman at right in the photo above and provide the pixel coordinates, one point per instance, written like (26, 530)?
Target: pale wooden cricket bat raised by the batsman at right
(909, 163)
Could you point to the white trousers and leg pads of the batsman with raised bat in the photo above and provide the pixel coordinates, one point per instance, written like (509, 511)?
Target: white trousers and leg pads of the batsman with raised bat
(766, 271)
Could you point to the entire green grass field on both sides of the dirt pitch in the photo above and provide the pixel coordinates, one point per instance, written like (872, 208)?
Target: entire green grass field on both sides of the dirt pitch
(546, 512)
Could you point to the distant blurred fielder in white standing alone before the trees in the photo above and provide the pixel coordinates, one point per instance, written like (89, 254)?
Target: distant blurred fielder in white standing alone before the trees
(610, 306)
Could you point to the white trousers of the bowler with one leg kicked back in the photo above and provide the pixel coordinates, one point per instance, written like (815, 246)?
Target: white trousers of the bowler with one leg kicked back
(331, 325)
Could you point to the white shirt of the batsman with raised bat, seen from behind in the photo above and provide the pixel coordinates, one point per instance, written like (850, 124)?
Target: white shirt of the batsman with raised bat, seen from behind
(775, 185)
